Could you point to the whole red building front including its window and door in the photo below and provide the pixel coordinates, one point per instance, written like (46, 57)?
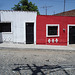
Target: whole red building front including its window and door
(55, 30)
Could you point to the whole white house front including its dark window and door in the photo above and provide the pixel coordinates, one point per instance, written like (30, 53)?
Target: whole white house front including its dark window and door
(15, 26)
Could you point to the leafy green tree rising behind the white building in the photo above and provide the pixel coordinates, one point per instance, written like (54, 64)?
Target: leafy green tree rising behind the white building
(24, 5)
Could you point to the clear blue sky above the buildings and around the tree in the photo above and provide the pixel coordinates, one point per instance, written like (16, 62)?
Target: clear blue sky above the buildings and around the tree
(57, 5)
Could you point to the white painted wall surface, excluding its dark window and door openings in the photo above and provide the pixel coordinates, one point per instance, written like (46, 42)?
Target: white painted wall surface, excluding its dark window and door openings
(18, 20)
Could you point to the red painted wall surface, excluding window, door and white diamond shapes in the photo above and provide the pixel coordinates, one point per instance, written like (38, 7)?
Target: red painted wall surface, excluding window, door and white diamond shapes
(63, 21)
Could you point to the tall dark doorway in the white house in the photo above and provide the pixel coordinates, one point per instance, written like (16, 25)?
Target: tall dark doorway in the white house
(29, 33)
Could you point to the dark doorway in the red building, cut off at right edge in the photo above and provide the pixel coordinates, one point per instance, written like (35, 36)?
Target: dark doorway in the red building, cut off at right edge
(72, 35)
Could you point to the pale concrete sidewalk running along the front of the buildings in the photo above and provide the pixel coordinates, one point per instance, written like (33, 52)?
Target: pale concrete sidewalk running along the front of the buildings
(32, 46)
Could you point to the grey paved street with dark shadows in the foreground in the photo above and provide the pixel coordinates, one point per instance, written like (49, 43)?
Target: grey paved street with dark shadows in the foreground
(36, 62)
